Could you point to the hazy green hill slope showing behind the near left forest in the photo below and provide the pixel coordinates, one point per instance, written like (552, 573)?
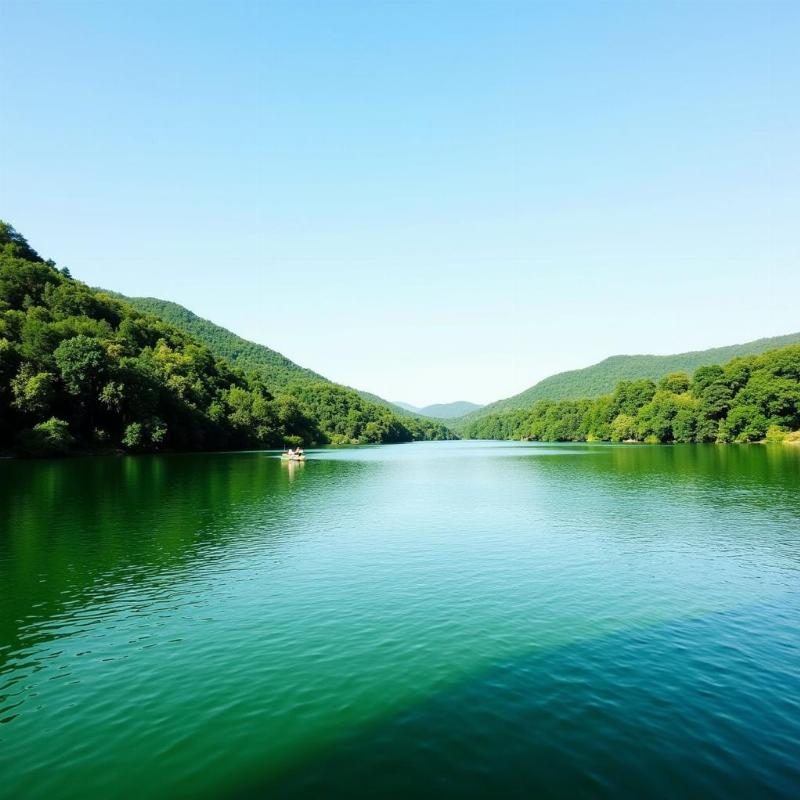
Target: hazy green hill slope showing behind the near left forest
(274, 368)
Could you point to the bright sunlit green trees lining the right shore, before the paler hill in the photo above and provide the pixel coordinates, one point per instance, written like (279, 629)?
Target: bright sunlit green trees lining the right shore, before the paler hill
(748, 399)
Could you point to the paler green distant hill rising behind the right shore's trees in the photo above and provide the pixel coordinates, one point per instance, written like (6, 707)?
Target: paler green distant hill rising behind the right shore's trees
(601, 378)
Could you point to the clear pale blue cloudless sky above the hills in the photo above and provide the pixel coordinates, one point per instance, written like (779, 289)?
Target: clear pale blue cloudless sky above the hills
(431, 201)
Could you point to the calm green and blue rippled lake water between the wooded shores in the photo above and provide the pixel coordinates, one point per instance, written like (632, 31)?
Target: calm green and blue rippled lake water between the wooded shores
(453, 619)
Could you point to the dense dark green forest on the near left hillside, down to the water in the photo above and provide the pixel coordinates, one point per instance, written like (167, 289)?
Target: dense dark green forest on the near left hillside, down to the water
(83, 371)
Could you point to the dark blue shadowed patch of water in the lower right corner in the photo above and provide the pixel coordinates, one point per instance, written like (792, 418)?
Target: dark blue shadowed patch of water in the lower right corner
(696, 708)
